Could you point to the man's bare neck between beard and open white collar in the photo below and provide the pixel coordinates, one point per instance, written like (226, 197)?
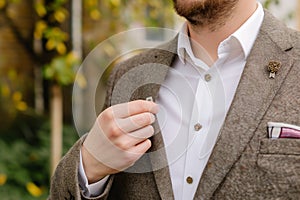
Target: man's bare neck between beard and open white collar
(204, 37)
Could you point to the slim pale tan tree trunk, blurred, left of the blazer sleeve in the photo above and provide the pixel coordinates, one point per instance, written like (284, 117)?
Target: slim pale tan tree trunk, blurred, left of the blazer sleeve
(56, 107)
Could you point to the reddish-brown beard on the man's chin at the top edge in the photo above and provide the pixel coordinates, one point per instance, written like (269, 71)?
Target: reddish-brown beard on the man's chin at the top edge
(205, 13)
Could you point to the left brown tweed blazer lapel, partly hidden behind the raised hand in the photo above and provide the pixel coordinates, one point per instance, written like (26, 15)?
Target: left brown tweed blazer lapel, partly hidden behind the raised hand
(154, 75)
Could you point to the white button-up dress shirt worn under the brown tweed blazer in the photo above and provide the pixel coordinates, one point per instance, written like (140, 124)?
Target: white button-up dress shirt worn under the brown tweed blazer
(194, 100)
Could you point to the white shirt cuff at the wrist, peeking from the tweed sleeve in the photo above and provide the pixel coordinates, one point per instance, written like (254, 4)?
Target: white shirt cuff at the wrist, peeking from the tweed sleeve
(90, 190)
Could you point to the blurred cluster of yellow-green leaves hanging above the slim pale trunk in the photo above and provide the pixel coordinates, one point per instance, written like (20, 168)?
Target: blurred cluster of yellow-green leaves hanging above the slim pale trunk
(51, 17)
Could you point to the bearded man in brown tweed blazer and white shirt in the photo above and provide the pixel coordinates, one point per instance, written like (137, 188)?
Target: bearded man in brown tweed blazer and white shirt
(238, 71)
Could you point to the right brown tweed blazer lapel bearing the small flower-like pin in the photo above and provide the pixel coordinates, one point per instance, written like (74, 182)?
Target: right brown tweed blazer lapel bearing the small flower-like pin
(253, 97)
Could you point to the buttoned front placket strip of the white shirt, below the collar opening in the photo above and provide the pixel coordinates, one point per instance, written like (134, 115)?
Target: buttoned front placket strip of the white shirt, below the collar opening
(197, 134)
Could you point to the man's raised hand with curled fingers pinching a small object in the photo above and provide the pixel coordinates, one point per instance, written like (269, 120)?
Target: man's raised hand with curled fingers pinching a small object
(118, 138)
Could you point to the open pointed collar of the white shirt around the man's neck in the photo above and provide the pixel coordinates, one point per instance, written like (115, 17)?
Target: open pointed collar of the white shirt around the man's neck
(245, 35)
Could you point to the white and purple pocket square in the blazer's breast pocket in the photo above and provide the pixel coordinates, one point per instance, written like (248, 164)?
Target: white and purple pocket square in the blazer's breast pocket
(283, 130)
